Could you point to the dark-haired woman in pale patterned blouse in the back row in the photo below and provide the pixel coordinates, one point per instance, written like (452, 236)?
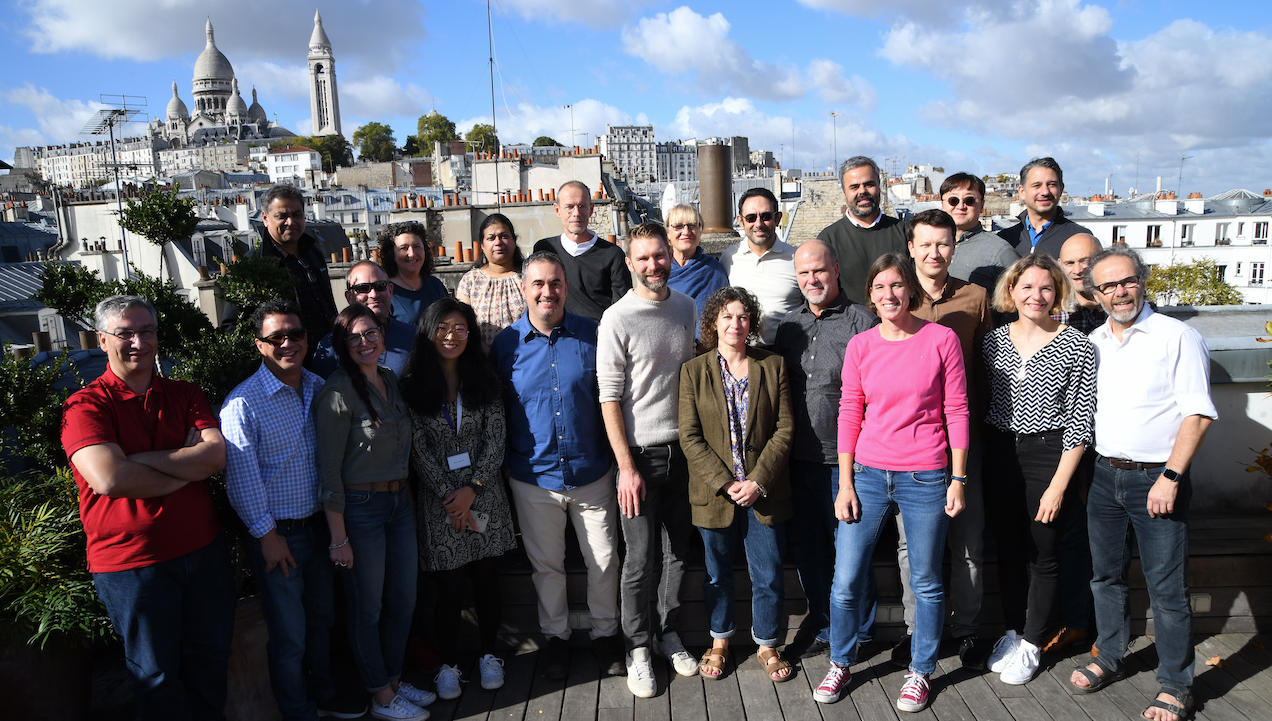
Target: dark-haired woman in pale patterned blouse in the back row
(494, 287)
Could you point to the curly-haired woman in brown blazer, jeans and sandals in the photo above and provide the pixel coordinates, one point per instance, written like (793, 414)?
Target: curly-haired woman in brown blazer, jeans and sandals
(736, 430)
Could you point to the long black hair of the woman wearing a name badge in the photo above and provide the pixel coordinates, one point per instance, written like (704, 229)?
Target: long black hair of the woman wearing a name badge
(423, 385)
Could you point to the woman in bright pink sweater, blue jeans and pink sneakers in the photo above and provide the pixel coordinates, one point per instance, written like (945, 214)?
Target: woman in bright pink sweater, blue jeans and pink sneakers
(902, 423)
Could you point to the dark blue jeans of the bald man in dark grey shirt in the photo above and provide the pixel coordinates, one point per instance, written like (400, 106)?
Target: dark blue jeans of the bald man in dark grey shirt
(813, 490)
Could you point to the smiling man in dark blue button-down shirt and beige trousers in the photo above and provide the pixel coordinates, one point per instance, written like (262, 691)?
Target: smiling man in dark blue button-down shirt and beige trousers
(559, 458)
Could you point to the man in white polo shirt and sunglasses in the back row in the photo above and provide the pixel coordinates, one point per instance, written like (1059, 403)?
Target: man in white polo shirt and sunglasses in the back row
(763, 264)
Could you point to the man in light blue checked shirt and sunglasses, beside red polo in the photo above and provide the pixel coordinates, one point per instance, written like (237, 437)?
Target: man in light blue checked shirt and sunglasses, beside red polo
(273, 484)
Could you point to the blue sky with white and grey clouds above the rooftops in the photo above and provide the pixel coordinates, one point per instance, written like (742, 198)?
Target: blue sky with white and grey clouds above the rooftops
(980, 87)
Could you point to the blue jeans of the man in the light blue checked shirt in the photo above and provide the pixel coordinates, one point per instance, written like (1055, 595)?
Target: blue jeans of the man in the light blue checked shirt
(300, 611)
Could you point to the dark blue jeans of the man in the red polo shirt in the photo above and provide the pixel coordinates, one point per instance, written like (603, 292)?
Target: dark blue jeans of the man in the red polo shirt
(177, 621)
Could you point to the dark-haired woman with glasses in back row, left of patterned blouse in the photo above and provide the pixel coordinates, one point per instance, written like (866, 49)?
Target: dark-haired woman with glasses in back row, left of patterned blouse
(406, 257)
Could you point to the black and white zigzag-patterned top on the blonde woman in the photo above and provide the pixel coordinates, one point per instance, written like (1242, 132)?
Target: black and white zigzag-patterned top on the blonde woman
(1055, 390)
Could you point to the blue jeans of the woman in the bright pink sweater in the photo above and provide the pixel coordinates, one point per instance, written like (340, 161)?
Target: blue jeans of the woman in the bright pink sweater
(920, 495)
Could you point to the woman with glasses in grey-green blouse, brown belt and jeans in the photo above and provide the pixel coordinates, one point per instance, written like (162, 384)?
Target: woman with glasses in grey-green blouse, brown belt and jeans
(364, 443)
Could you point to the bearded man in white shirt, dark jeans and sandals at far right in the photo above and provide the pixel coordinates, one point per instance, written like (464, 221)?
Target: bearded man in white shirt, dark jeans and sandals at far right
(1153, 411)
